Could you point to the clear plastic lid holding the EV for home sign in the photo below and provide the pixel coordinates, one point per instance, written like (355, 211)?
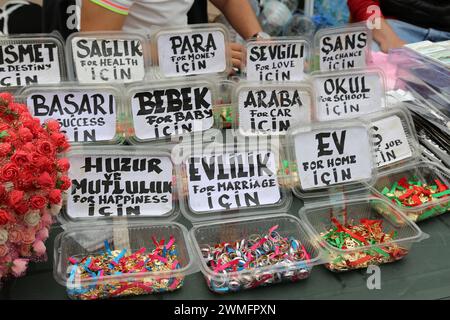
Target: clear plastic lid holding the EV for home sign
(330, 157)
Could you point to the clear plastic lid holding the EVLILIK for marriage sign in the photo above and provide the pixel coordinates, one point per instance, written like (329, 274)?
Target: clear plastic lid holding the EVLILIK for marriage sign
(227, 181)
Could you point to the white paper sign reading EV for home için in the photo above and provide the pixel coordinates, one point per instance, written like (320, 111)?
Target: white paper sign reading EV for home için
(326, 158)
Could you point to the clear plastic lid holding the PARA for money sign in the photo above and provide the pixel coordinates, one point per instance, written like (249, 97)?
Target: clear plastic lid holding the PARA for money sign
(197, 49)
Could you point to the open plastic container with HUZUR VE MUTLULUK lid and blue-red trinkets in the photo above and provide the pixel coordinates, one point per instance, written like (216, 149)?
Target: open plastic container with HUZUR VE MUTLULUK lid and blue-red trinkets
(131, 221)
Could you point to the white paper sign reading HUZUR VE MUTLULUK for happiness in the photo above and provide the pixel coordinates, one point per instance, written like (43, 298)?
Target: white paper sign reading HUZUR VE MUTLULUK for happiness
(119, 186)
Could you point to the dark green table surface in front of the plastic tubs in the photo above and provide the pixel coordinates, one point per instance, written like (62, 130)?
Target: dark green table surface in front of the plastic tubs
(422, 275)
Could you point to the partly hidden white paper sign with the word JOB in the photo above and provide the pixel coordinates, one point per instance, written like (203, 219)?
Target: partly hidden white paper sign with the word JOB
(391, 141)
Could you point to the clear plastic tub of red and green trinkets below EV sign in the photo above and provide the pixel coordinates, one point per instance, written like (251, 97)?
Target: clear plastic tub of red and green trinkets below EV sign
(318, 219)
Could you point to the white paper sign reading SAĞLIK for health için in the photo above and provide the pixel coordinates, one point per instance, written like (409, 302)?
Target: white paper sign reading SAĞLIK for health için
(108, 60)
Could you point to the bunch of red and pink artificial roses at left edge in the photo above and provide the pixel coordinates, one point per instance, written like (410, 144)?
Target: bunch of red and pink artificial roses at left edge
(32, 179)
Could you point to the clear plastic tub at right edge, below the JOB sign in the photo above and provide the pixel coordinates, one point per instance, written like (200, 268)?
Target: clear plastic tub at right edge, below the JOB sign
(426, 172)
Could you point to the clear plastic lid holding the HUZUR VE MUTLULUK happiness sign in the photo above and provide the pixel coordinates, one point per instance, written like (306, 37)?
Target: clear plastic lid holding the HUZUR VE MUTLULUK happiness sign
(114, 182)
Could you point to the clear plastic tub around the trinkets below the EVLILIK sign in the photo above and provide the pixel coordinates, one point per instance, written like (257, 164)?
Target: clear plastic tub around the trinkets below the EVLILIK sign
(208, 235)
